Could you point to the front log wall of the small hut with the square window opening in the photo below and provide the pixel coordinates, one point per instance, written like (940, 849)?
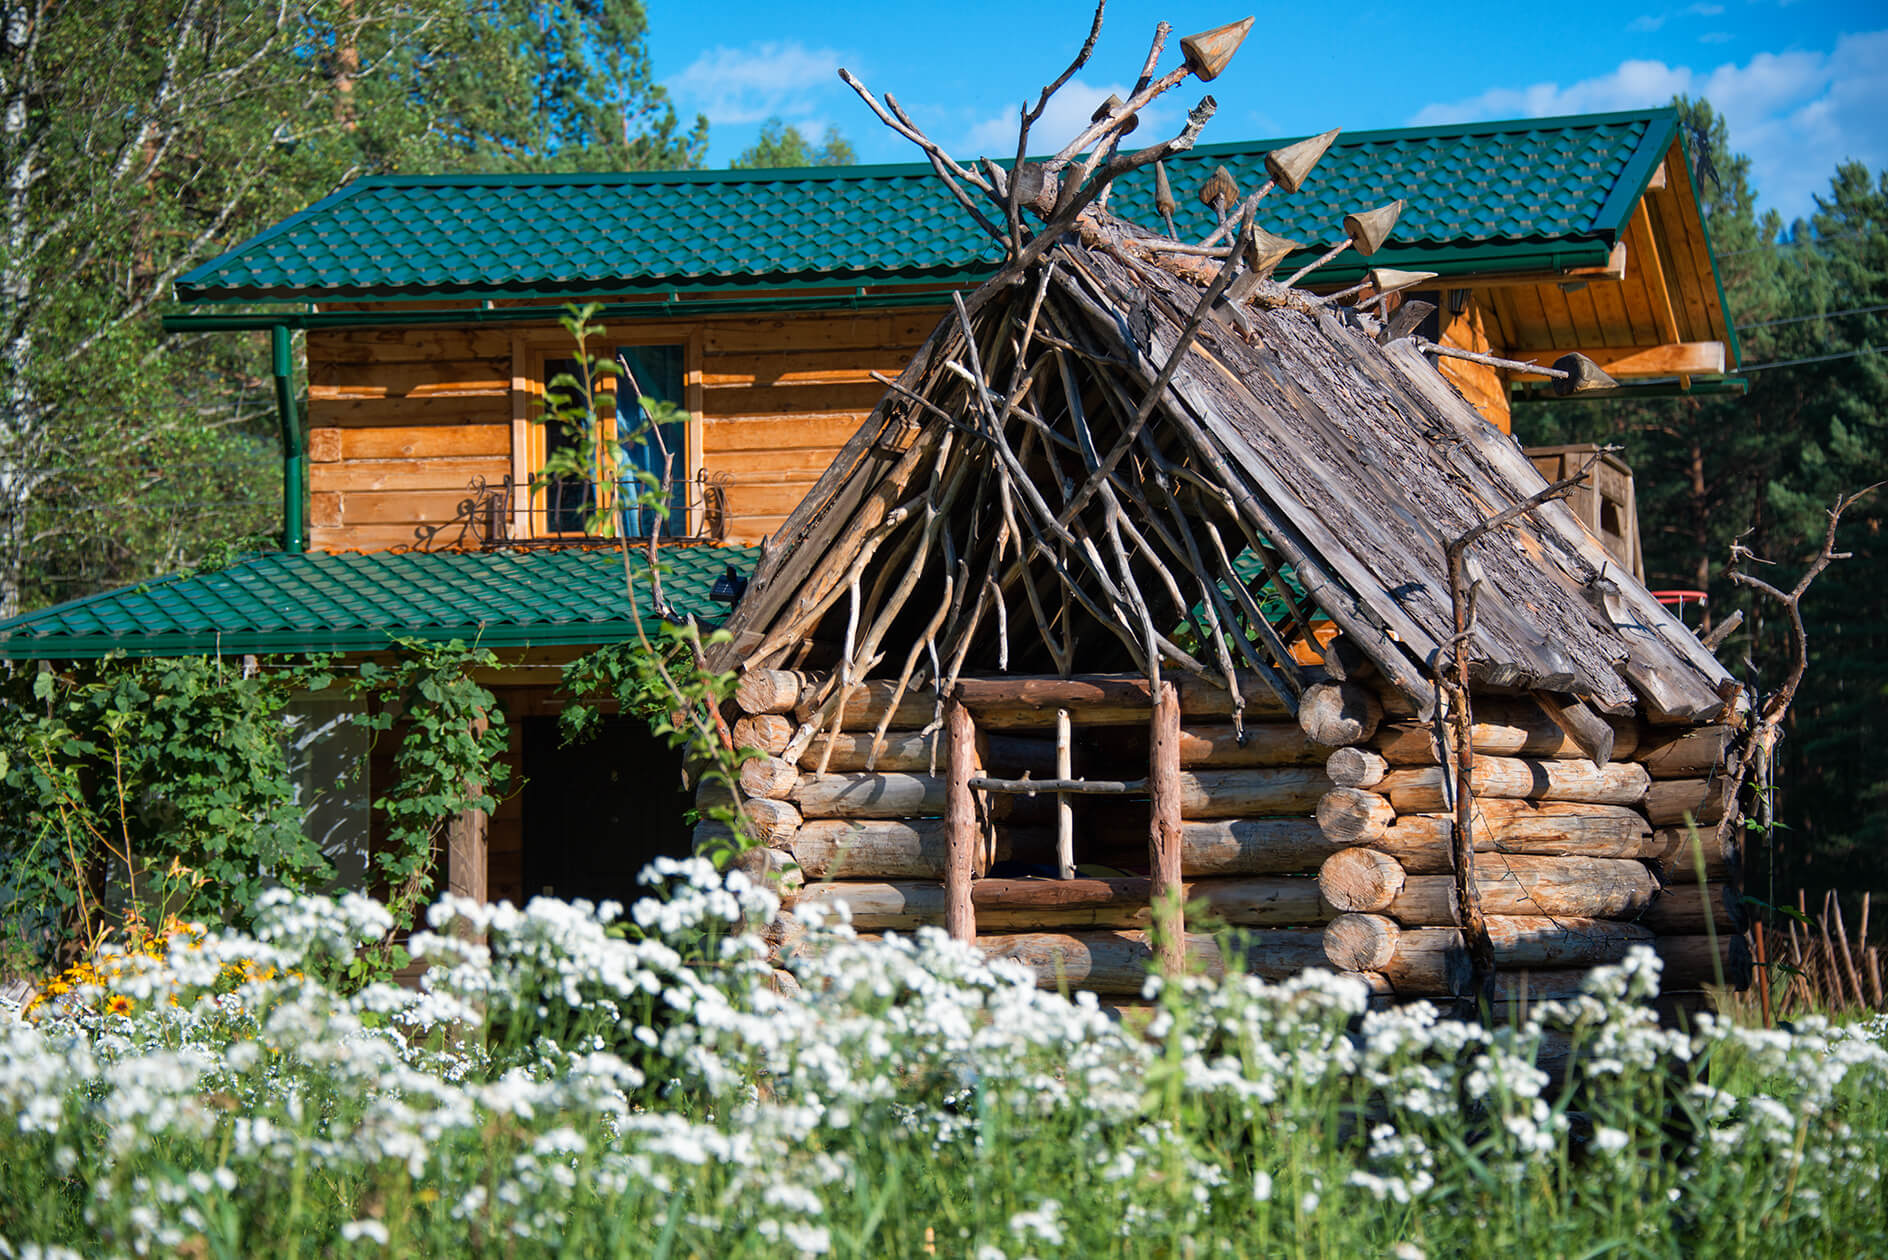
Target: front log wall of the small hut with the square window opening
(869, 828)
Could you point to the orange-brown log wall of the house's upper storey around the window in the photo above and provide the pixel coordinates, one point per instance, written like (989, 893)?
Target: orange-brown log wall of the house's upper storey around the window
(403, 422)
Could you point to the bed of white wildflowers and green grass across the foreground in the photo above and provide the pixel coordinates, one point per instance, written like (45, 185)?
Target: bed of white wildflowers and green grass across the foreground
(577, 1085)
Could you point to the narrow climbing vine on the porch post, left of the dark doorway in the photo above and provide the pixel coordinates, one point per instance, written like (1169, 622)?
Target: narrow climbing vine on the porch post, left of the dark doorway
(450, 760)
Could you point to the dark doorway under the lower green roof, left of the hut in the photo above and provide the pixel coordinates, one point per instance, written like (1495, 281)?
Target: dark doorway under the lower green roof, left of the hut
(598, 813)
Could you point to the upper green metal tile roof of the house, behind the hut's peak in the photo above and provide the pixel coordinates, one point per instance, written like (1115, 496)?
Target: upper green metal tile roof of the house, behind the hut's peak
(1481, 197)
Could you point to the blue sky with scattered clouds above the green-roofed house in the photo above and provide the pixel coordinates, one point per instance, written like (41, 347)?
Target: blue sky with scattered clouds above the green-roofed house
(1804, 84)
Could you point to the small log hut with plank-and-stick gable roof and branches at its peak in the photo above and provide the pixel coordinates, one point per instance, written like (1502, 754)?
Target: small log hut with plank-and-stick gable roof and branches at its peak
(1136, 594)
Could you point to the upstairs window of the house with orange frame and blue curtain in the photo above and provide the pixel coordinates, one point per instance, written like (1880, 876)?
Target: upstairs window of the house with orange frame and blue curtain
(562, 503)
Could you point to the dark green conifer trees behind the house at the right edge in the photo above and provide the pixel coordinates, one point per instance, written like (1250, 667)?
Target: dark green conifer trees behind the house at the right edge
(1766, 468)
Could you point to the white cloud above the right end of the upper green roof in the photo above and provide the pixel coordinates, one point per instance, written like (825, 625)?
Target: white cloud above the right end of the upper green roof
(1796, 114)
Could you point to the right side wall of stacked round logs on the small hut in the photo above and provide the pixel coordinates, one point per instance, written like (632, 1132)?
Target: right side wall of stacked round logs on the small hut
(1576, 862)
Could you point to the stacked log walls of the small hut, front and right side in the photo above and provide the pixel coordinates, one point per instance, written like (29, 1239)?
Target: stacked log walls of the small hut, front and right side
(1330, 853)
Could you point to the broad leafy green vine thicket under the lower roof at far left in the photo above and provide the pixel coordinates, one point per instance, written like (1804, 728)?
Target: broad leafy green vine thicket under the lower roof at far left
(131, 791)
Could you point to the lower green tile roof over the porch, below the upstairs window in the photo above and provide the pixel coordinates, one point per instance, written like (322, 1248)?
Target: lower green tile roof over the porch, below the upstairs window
(354, 602)
